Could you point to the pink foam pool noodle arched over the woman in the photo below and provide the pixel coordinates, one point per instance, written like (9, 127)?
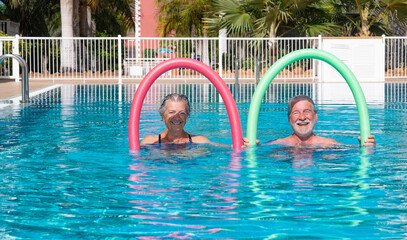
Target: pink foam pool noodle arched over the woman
(156, 72)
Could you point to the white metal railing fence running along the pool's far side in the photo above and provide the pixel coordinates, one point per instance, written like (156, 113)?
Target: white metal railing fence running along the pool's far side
(122, 59)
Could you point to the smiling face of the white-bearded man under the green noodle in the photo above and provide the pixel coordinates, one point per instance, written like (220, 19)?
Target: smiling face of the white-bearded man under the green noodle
(302, 119)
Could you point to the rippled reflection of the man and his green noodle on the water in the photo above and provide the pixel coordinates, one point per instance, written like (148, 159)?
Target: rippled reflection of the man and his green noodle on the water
(314, 179)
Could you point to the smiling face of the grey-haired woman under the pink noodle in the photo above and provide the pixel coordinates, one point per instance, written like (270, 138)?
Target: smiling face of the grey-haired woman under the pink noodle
(175, 115)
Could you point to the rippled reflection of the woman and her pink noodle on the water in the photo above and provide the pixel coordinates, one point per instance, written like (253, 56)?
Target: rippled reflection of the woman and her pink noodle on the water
(183, 197)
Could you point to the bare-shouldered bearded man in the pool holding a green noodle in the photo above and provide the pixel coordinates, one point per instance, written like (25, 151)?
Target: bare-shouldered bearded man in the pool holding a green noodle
(302, 117)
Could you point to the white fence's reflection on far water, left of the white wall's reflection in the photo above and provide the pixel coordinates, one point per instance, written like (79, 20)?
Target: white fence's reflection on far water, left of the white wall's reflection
(197, 93)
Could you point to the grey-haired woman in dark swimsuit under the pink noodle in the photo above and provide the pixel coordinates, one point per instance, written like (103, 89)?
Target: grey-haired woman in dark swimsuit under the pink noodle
(174, 111)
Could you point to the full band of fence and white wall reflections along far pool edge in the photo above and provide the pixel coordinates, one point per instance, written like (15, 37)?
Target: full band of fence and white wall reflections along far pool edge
(206, 93)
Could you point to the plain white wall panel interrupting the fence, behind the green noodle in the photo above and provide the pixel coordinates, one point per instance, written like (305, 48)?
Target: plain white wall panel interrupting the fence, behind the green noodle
(365, 58)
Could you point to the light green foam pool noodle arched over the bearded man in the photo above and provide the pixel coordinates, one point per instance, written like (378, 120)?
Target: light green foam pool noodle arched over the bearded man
(283, 62)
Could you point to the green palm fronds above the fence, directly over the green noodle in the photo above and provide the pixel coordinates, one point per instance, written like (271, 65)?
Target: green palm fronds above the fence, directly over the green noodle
(271, 18)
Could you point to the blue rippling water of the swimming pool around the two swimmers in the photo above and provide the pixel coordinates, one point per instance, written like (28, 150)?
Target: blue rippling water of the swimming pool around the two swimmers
(66, 170)
